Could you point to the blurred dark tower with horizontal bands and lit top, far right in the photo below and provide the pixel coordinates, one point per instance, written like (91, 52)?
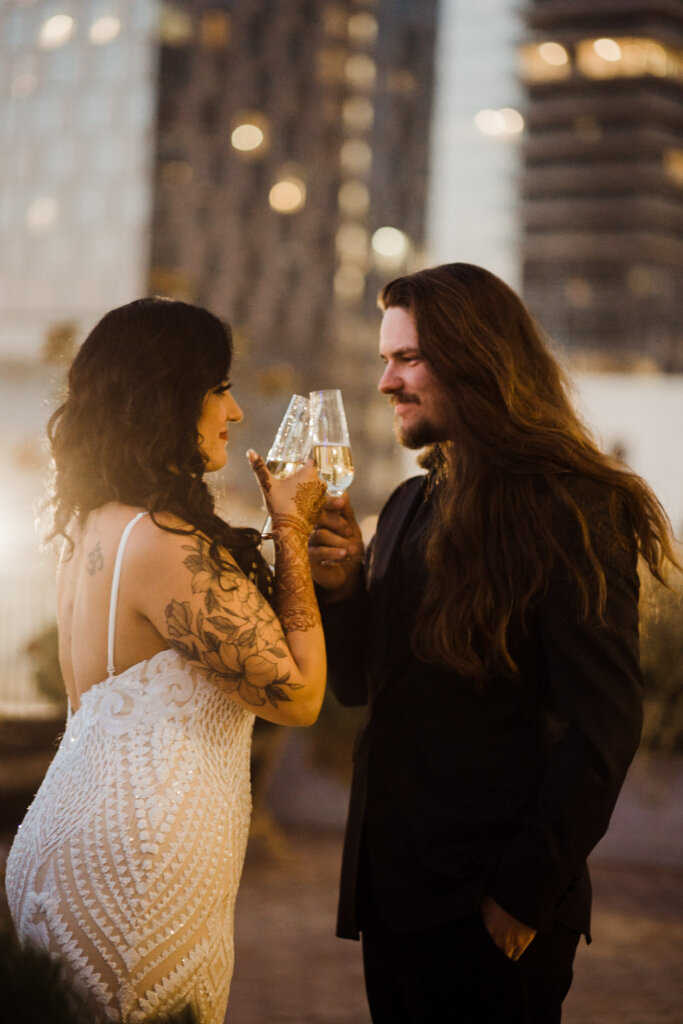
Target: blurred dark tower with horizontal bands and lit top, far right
(603, 193)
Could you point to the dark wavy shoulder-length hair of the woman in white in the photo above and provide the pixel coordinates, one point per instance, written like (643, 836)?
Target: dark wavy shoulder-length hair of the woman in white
(127, 432)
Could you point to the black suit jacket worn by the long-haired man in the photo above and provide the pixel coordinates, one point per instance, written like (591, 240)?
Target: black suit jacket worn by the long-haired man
(504, 788)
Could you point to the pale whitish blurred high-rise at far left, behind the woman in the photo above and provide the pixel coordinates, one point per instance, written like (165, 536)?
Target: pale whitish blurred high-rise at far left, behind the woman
(77, 110)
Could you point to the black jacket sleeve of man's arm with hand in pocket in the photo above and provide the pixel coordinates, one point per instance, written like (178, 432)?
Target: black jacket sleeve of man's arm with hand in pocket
(595, 688)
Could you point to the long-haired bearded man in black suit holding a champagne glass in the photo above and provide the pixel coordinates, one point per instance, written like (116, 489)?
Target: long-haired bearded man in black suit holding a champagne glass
(494, 635)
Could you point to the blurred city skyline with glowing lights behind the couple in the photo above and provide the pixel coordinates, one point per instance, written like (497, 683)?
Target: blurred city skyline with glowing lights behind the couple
(279, 161)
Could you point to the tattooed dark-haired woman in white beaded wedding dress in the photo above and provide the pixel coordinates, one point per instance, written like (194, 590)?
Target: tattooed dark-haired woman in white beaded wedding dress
(174, 635)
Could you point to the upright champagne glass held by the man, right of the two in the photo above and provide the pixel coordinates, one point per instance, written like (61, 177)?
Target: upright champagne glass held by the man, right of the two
(329, 439)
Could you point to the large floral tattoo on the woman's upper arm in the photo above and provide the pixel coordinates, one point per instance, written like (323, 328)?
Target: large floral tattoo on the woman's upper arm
(230, 637)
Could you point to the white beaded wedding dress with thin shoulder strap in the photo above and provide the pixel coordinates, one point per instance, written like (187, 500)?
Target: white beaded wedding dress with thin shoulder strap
(129, 862)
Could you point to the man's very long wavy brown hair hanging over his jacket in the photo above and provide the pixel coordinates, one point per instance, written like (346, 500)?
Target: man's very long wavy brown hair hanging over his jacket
(519, 483)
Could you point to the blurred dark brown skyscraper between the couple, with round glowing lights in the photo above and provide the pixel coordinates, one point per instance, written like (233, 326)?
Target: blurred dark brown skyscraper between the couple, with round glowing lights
(290, 134)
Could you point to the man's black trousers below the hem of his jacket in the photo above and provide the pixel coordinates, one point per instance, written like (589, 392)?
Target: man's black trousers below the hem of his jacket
(456, 973)
